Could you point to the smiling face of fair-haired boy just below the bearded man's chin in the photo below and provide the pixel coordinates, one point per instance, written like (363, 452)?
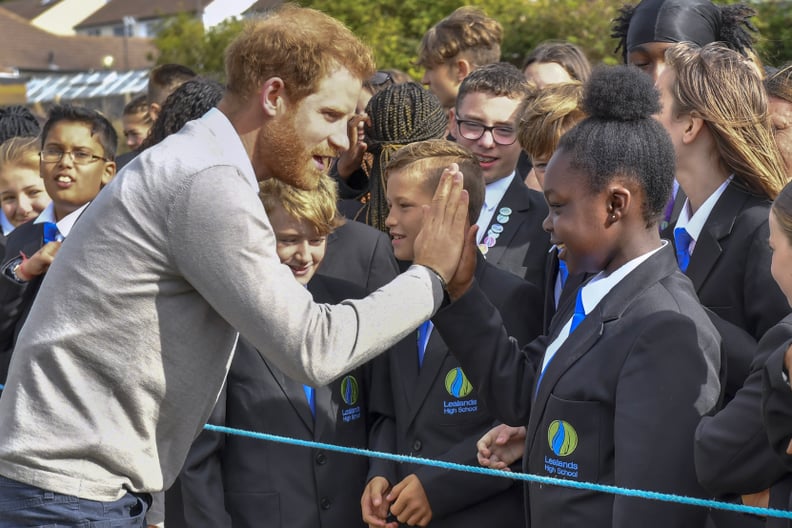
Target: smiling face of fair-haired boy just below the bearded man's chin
(299, 246)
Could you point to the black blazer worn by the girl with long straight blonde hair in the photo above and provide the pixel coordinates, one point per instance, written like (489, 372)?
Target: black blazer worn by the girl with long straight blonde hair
(730, 270)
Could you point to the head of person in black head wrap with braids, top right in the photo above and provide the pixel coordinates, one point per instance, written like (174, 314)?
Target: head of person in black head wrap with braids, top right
(646, 30)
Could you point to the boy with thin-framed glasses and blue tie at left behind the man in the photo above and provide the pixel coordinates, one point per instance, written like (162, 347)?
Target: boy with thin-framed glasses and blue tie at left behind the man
(76, 160)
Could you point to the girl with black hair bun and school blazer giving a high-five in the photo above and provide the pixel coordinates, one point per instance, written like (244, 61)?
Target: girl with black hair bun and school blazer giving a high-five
(612, 394)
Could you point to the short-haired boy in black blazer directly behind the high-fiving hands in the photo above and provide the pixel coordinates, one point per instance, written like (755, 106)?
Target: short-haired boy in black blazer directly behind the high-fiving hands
(428, 407)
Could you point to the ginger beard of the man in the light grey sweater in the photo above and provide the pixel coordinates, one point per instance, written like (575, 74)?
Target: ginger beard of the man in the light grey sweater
(283, 155)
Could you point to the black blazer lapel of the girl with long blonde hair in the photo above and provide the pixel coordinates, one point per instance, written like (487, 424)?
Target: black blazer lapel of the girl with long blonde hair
(718, 226)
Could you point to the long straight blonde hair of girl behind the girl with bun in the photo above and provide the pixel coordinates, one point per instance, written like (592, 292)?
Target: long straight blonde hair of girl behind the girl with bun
(723, 88)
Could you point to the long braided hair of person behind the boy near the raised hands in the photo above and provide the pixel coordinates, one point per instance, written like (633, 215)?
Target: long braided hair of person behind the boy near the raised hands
(400, 114)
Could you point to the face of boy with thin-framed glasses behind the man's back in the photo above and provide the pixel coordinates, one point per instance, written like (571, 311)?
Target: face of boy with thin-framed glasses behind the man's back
(71, 185)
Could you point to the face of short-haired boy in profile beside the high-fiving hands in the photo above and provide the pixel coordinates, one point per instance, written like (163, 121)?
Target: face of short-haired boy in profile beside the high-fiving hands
(406, 194)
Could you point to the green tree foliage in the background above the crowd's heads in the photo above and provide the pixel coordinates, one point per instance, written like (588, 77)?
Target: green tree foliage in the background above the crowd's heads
(393, 28)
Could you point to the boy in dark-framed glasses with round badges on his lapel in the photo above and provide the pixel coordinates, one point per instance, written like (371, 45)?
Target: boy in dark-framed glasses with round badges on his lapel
(484, 120)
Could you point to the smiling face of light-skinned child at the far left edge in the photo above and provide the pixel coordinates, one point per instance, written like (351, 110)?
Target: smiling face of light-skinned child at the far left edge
(22, 194)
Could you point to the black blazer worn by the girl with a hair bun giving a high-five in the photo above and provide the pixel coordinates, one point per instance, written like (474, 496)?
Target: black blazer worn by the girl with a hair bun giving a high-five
(618, 404)
